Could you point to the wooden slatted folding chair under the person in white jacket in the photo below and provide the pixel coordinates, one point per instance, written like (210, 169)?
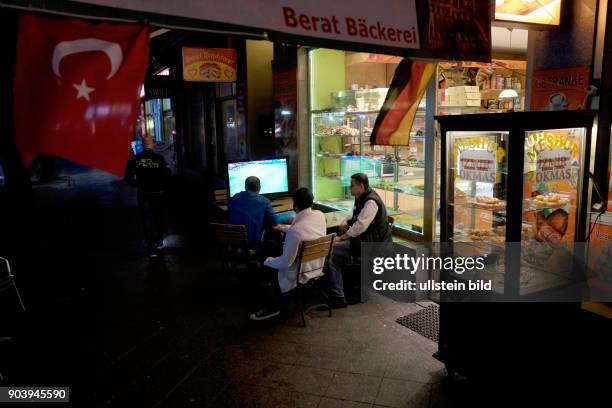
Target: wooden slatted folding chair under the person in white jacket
(320, 248)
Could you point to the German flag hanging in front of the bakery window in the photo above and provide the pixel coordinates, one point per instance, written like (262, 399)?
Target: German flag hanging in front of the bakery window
(393, 124)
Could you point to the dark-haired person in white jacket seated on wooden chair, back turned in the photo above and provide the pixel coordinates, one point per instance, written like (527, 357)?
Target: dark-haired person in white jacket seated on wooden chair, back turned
(281, 271)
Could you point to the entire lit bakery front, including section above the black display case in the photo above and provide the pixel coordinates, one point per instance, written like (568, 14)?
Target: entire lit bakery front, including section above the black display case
(347, 90)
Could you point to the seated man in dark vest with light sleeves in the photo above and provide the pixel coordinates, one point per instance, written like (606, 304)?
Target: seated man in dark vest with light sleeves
(367, 223)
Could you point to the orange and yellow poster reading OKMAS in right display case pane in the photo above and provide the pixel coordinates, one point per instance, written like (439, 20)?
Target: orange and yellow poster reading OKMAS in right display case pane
(552, 169)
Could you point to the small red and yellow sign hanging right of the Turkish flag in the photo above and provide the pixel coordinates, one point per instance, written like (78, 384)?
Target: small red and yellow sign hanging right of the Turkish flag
(209, 64)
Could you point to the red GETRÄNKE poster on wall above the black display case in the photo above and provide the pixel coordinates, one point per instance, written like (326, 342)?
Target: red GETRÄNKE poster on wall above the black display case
(560, 89)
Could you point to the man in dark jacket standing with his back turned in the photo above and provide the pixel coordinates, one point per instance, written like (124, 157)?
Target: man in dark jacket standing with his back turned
(148, 172)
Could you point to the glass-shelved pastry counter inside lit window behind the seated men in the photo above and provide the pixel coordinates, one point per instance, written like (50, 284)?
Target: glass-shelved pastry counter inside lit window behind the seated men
(341, 147)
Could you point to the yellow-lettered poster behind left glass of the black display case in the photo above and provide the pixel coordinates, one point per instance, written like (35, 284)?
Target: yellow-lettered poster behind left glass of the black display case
(477, 160)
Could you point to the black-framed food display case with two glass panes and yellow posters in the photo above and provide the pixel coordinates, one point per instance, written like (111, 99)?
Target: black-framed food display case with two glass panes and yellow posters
(519, 179)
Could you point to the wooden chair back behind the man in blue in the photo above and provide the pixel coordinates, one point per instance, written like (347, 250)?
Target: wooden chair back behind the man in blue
(233, 243)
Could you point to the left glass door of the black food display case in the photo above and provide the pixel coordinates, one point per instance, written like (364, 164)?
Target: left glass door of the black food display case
(477, 188)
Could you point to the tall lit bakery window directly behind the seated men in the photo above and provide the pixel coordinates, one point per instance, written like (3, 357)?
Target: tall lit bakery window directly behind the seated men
(347, 91)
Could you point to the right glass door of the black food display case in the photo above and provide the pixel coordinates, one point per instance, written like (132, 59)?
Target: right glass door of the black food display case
(552, 186)
